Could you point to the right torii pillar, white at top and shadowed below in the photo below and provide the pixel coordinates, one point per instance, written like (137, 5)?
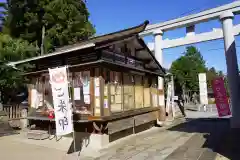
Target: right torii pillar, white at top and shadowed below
(232, 66)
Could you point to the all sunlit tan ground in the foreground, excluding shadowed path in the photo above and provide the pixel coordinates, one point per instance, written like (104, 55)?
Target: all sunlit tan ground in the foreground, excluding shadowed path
(154, 142)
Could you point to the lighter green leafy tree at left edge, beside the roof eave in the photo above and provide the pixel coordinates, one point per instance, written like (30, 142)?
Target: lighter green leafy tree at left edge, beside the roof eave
(11, 79)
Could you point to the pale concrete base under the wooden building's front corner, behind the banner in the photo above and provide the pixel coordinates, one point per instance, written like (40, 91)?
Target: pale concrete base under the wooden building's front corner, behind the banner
(85, 144)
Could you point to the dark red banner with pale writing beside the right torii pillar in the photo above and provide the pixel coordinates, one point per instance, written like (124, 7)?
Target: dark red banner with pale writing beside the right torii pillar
(220, 95)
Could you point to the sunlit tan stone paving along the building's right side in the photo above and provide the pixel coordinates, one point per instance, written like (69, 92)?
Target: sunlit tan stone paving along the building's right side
(157, 145)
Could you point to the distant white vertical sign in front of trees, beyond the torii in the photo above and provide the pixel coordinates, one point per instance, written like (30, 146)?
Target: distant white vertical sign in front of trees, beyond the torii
(203, 88)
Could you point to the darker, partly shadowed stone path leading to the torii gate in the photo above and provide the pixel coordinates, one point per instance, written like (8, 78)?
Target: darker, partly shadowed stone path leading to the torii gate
(204, 144)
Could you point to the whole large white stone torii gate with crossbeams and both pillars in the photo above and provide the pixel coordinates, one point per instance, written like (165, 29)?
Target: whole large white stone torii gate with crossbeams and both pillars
(225, 14)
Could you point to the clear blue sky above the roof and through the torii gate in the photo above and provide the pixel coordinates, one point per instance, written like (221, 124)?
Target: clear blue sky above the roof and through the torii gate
(113, 15)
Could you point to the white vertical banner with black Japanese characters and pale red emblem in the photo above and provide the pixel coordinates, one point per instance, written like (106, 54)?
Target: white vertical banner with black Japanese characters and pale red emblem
(62, 107)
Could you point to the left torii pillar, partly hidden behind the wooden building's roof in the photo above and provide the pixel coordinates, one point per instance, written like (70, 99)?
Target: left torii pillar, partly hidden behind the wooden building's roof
(158, 36)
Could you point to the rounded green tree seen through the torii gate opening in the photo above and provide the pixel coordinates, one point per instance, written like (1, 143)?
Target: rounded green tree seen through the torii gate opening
(186, 69)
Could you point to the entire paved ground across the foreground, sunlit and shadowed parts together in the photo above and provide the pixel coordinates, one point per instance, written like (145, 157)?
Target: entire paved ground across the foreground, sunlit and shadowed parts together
(196, 139)
